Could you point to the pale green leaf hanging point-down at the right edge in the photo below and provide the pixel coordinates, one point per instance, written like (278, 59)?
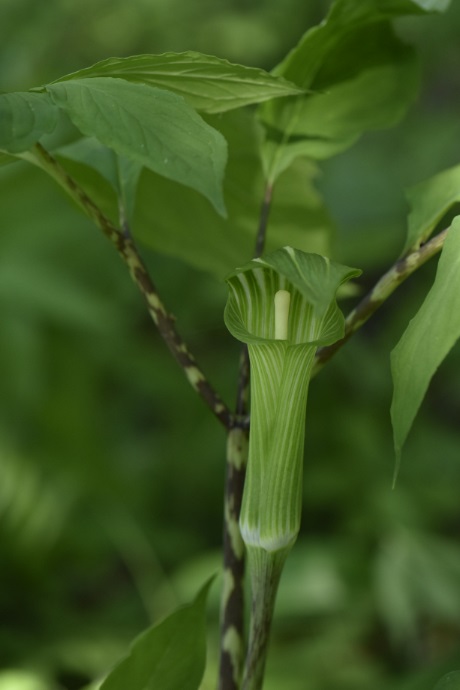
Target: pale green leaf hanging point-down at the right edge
(430, 336)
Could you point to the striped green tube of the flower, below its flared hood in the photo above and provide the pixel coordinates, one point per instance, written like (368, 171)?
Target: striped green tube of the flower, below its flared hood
(270, 515)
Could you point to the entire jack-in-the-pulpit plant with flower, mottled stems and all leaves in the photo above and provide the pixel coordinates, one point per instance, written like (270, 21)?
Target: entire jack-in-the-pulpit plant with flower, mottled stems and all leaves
(138, 116)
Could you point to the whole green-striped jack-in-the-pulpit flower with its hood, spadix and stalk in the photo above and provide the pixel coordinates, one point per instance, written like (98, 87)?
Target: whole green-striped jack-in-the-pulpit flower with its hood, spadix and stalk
(283, 306)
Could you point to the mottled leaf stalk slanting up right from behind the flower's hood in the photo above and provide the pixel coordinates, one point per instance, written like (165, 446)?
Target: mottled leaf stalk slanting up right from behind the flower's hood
(374, 299)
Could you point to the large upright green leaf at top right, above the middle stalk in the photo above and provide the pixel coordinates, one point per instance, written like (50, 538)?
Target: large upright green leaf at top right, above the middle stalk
(361, 77)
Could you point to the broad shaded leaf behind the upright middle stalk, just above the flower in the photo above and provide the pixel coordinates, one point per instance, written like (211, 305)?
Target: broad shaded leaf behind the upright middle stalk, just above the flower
(176, 220)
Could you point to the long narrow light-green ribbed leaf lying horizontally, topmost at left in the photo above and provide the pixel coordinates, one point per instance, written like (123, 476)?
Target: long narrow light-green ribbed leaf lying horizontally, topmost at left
(206, 82)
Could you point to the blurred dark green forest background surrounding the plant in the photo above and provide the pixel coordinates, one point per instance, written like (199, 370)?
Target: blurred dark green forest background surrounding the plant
(112, 471)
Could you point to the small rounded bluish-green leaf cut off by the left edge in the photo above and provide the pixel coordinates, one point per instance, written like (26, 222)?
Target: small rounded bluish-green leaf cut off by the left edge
(24, 119)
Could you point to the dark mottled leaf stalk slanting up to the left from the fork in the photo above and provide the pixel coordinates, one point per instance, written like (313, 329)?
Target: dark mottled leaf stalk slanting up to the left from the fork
(126, 248)
